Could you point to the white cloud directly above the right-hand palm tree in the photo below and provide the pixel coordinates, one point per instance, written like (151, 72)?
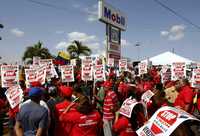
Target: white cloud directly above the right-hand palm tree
(90, 40)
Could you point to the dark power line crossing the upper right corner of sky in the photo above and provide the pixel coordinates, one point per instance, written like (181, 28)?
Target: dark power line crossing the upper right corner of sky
(177, 14)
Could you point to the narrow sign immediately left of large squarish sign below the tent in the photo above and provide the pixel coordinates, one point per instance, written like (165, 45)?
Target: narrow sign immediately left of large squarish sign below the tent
(165, 73)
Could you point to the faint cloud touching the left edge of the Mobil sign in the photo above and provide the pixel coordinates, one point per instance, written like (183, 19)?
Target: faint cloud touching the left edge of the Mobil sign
(92, 13)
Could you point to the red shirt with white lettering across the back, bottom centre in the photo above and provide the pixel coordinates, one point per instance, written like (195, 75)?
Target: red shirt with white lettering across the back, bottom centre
(83, 125)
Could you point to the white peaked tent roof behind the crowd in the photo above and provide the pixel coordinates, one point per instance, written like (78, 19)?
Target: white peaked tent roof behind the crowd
(167, 58)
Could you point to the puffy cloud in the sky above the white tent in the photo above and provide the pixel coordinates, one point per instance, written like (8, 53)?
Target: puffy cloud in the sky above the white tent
(176, 32)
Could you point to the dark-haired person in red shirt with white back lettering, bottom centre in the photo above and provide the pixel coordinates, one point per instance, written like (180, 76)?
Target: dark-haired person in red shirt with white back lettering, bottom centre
(85, 120)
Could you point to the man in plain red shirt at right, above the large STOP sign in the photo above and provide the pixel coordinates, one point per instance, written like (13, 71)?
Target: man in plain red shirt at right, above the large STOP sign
(185, 97)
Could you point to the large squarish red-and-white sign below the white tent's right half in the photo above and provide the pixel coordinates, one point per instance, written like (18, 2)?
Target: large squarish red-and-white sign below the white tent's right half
(178, 70)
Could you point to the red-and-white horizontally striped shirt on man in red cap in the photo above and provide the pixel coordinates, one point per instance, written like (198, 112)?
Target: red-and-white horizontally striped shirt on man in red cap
(110, 101)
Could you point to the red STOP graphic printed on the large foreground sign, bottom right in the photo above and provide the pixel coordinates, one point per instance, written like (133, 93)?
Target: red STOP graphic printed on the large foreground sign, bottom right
(164, 120)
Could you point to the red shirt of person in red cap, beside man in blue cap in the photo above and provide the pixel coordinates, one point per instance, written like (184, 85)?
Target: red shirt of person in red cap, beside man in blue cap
(62, 128)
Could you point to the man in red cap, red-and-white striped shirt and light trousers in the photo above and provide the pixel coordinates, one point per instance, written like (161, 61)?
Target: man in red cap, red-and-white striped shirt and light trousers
(109, 108)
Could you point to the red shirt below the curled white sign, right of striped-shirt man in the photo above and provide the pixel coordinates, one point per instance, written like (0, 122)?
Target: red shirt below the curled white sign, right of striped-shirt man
(123, 127)
